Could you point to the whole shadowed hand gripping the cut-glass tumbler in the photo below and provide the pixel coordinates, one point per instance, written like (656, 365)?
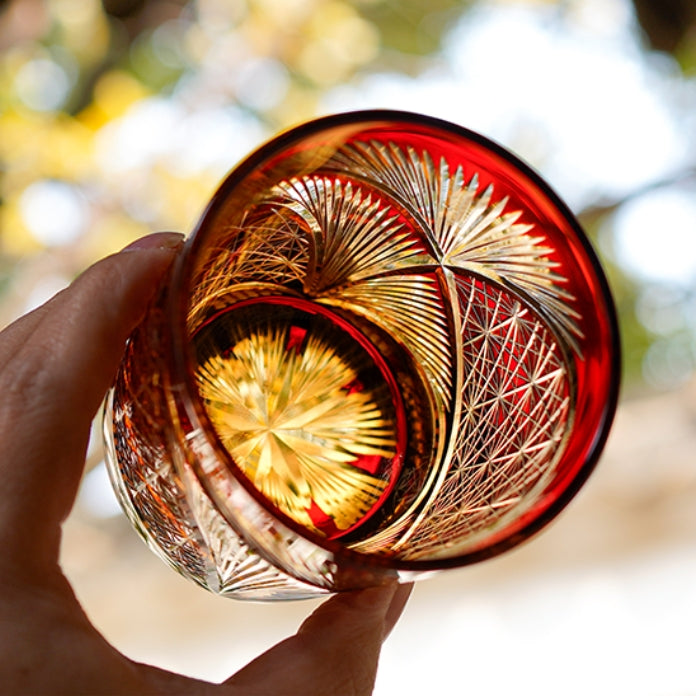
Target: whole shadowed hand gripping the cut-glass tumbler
(55, 365)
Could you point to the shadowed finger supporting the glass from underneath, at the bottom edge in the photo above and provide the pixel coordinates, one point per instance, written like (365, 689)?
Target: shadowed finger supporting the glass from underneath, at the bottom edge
(336, 650)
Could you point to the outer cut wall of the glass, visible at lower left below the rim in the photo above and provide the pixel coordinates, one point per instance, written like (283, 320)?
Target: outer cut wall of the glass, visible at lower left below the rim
(178, 521)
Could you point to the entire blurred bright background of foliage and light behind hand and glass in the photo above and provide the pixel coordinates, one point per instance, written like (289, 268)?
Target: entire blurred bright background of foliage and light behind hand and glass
(118, 117)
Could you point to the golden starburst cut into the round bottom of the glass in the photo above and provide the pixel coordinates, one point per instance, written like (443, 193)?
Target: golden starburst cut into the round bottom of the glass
(299, 425)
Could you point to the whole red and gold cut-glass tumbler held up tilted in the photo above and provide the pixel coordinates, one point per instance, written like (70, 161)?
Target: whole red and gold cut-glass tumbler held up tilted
(386, 349)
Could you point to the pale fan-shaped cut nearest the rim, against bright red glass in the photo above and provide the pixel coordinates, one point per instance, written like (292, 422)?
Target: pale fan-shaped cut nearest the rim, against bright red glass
(467, 229)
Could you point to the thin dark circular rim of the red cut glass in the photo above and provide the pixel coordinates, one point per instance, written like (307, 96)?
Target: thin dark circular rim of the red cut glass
(513, 533)
